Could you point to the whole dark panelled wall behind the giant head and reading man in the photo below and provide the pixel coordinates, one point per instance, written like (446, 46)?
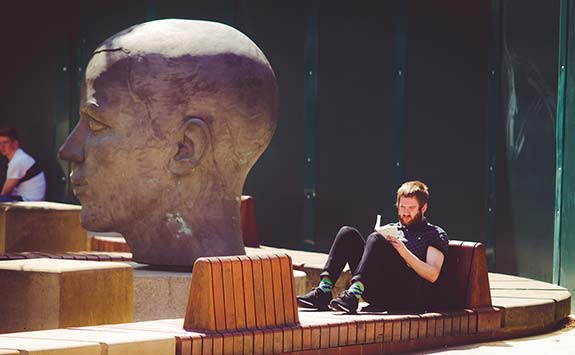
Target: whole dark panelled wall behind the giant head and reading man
(441, 134)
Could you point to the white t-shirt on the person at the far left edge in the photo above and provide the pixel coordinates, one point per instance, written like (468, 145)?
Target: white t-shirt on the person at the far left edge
(33, 189)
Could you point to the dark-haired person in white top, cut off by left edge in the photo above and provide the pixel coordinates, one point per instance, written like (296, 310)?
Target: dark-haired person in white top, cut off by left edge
(25, 181)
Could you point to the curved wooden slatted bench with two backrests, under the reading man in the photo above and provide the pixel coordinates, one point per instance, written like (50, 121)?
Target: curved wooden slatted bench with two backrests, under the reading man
(248, 302)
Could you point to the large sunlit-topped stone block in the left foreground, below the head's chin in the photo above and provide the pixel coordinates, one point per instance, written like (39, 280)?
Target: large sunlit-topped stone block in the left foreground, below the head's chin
(54, 293)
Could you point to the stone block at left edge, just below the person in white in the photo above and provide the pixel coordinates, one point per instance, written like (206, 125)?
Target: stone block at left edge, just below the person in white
(41, 226)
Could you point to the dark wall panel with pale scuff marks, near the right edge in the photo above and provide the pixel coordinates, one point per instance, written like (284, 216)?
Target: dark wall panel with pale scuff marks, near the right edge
(526, 181)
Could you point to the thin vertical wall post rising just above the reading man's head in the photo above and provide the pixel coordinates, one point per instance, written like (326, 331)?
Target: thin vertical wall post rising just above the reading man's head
(399, 97)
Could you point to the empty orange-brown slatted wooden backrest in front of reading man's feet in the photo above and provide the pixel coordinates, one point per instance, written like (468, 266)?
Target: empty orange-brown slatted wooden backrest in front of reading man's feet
(236, 293)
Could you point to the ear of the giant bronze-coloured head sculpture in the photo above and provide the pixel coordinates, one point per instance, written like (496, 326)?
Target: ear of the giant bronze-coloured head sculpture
(191, 148)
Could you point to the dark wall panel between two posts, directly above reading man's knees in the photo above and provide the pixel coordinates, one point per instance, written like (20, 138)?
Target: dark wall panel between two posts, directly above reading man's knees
(354, 117)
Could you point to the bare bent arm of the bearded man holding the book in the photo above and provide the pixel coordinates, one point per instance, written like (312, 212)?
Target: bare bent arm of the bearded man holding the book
(430, 269)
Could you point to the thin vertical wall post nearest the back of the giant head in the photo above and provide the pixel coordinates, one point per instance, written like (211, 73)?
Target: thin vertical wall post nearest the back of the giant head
(310, 112)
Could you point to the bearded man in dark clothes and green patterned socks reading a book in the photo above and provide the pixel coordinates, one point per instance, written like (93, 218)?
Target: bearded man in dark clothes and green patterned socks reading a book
(394, 268)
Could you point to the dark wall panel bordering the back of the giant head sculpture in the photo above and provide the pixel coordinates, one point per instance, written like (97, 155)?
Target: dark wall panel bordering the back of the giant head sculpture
(276, 180)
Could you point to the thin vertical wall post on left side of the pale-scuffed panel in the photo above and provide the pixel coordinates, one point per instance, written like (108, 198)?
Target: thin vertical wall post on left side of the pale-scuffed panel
(493, 113)
